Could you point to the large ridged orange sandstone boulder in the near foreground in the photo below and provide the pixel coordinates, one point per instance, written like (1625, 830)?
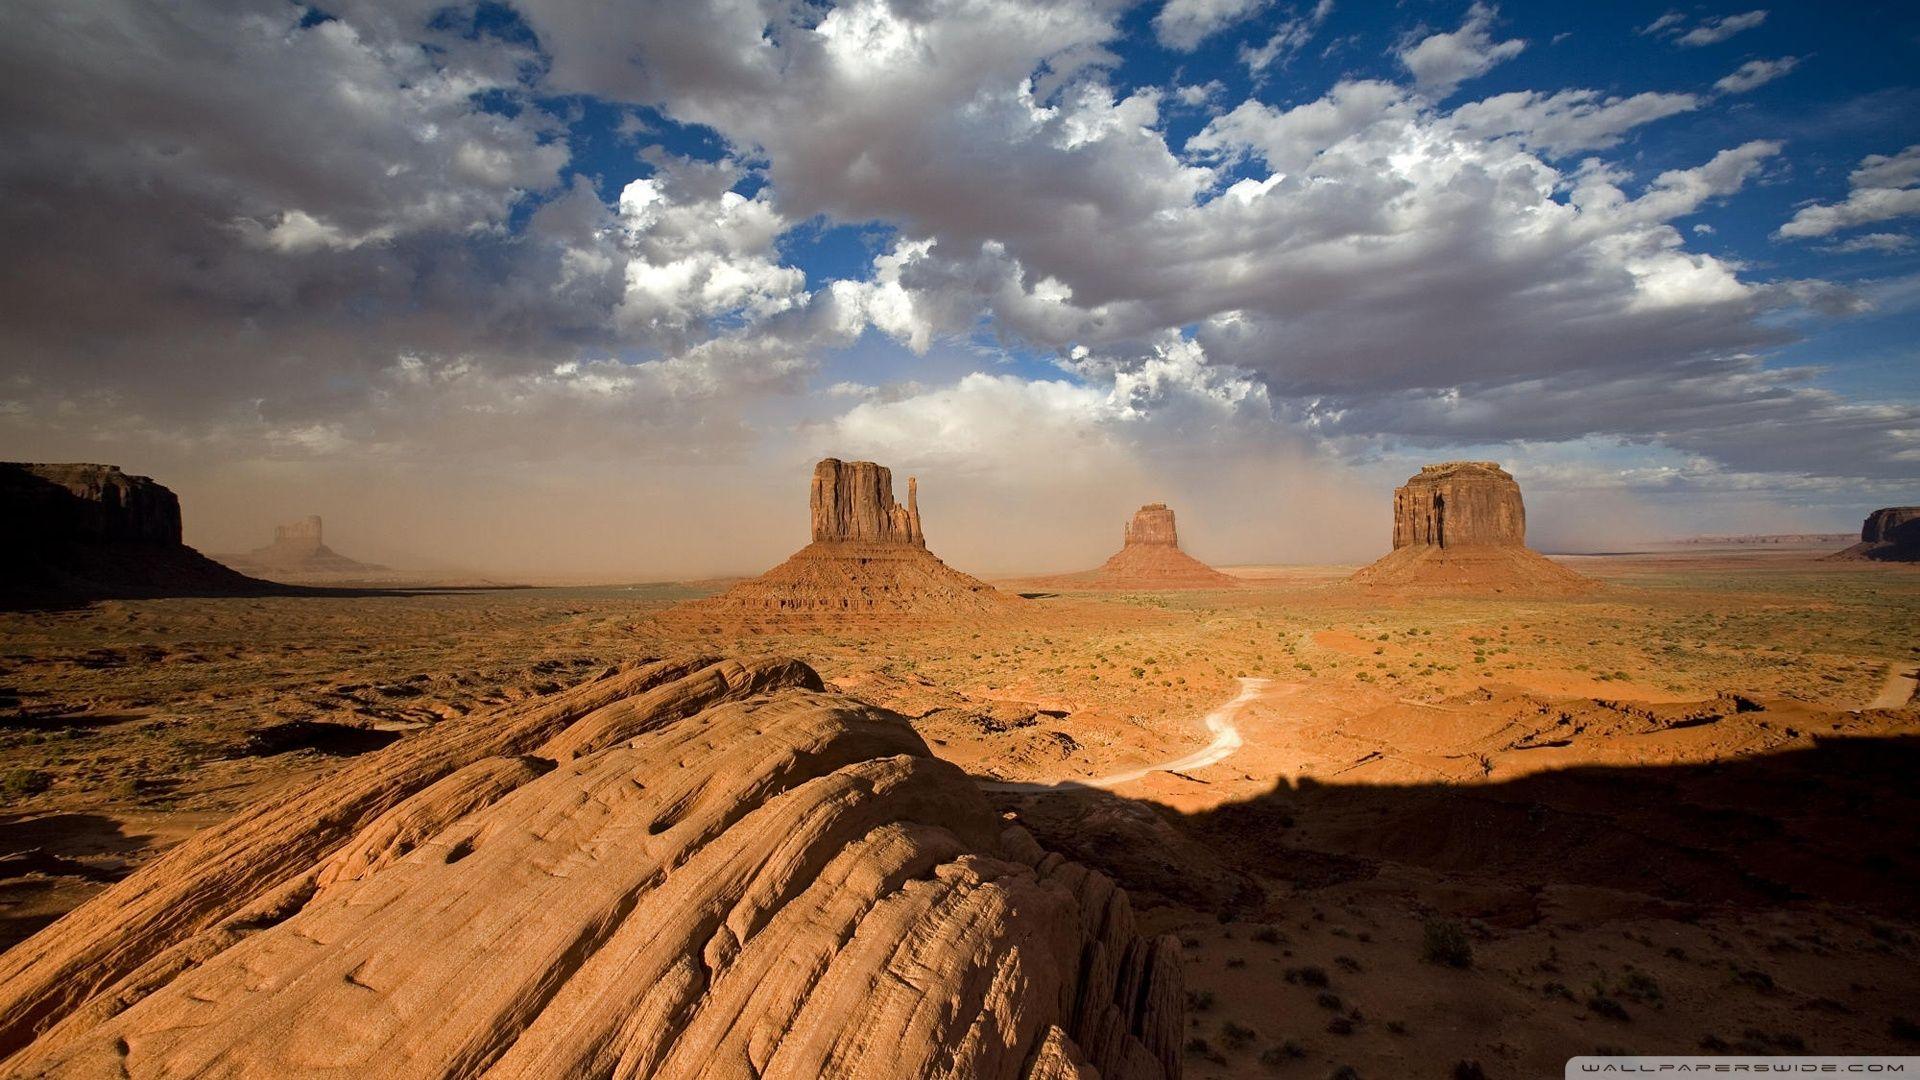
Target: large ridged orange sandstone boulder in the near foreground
(688, 868)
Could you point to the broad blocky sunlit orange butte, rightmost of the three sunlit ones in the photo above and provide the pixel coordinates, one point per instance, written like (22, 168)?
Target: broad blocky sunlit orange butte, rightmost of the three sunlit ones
(1462, 528)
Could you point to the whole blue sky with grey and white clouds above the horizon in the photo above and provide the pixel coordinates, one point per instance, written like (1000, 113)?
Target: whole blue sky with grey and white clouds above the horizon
(581, 291)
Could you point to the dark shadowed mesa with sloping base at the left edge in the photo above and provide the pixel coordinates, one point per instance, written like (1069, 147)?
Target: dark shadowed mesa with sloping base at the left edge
(74, 533)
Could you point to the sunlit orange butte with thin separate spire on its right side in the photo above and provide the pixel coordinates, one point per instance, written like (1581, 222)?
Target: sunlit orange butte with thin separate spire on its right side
(869, 558)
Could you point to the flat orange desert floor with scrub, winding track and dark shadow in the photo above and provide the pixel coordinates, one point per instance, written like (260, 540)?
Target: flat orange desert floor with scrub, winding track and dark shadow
(1675, 816)
